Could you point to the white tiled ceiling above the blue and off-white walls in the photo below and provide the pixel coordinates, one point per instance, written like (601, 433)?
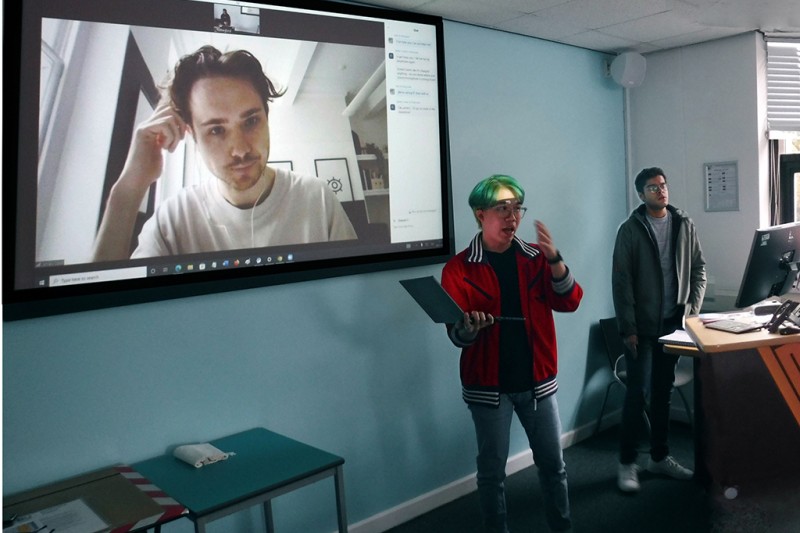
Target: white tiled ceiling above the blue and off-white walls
(616, 26)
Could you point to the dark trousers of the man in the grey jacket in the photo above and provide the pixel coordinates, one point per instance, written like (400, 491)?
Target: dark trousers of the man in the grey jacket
(651, 374)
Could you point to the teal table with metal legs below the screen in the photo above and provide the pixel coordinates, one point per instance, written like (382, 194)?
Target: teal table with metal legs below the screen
(265, 465)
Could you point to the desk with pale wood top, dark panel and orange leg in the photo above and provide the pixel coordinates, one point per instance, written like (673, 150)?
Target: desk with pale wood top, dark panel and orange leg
(748, 386)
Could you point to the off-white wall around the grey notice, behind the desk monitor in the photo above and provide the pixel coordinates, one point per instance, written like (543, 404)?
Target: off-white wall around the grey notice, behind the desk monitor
(704, 104)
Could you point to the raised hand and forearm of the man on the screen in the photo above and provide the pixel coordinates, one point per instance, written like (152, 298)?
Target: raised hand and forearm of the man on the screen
(164, 130)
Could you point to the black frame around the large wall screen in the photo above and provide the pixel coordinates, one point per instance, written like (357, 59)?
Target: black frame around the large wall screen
(30, 302)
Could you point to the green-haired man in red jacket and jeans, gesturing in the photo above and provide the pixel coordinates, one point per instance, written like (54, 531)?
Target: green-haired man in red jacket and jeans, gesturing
(509, 289)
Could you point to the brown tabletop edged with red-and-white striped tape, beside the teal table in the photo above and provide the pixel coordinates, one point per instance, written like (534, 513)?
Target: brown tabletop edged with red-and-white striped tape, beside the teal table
(119, 495)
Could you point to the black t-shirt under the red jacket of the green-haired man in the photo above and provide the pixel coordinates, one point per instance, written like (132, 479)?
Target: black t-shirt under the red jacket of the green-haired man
(516, 363)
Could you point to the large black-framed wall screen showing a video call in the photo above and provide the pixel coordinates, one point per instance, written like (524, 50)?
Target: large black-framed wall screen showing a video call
(109, 199)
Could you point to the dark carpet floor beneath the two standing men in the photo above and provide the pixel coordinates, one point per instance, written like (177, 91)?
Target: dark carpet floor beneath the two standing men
(663, 505)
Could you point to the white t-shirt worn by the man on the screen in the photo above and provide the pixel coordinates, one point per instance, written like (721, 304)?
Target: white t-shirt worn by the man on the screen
(298, 210)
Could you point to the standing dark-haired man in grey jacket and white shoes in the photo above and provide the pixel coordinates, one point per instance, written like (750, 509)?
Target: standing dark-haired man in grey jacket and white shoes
(658, 277)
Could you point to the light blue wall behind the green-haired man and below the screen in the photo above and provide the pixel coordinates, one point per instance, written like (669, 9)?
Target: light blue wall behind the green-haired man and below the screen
(351, 364)
